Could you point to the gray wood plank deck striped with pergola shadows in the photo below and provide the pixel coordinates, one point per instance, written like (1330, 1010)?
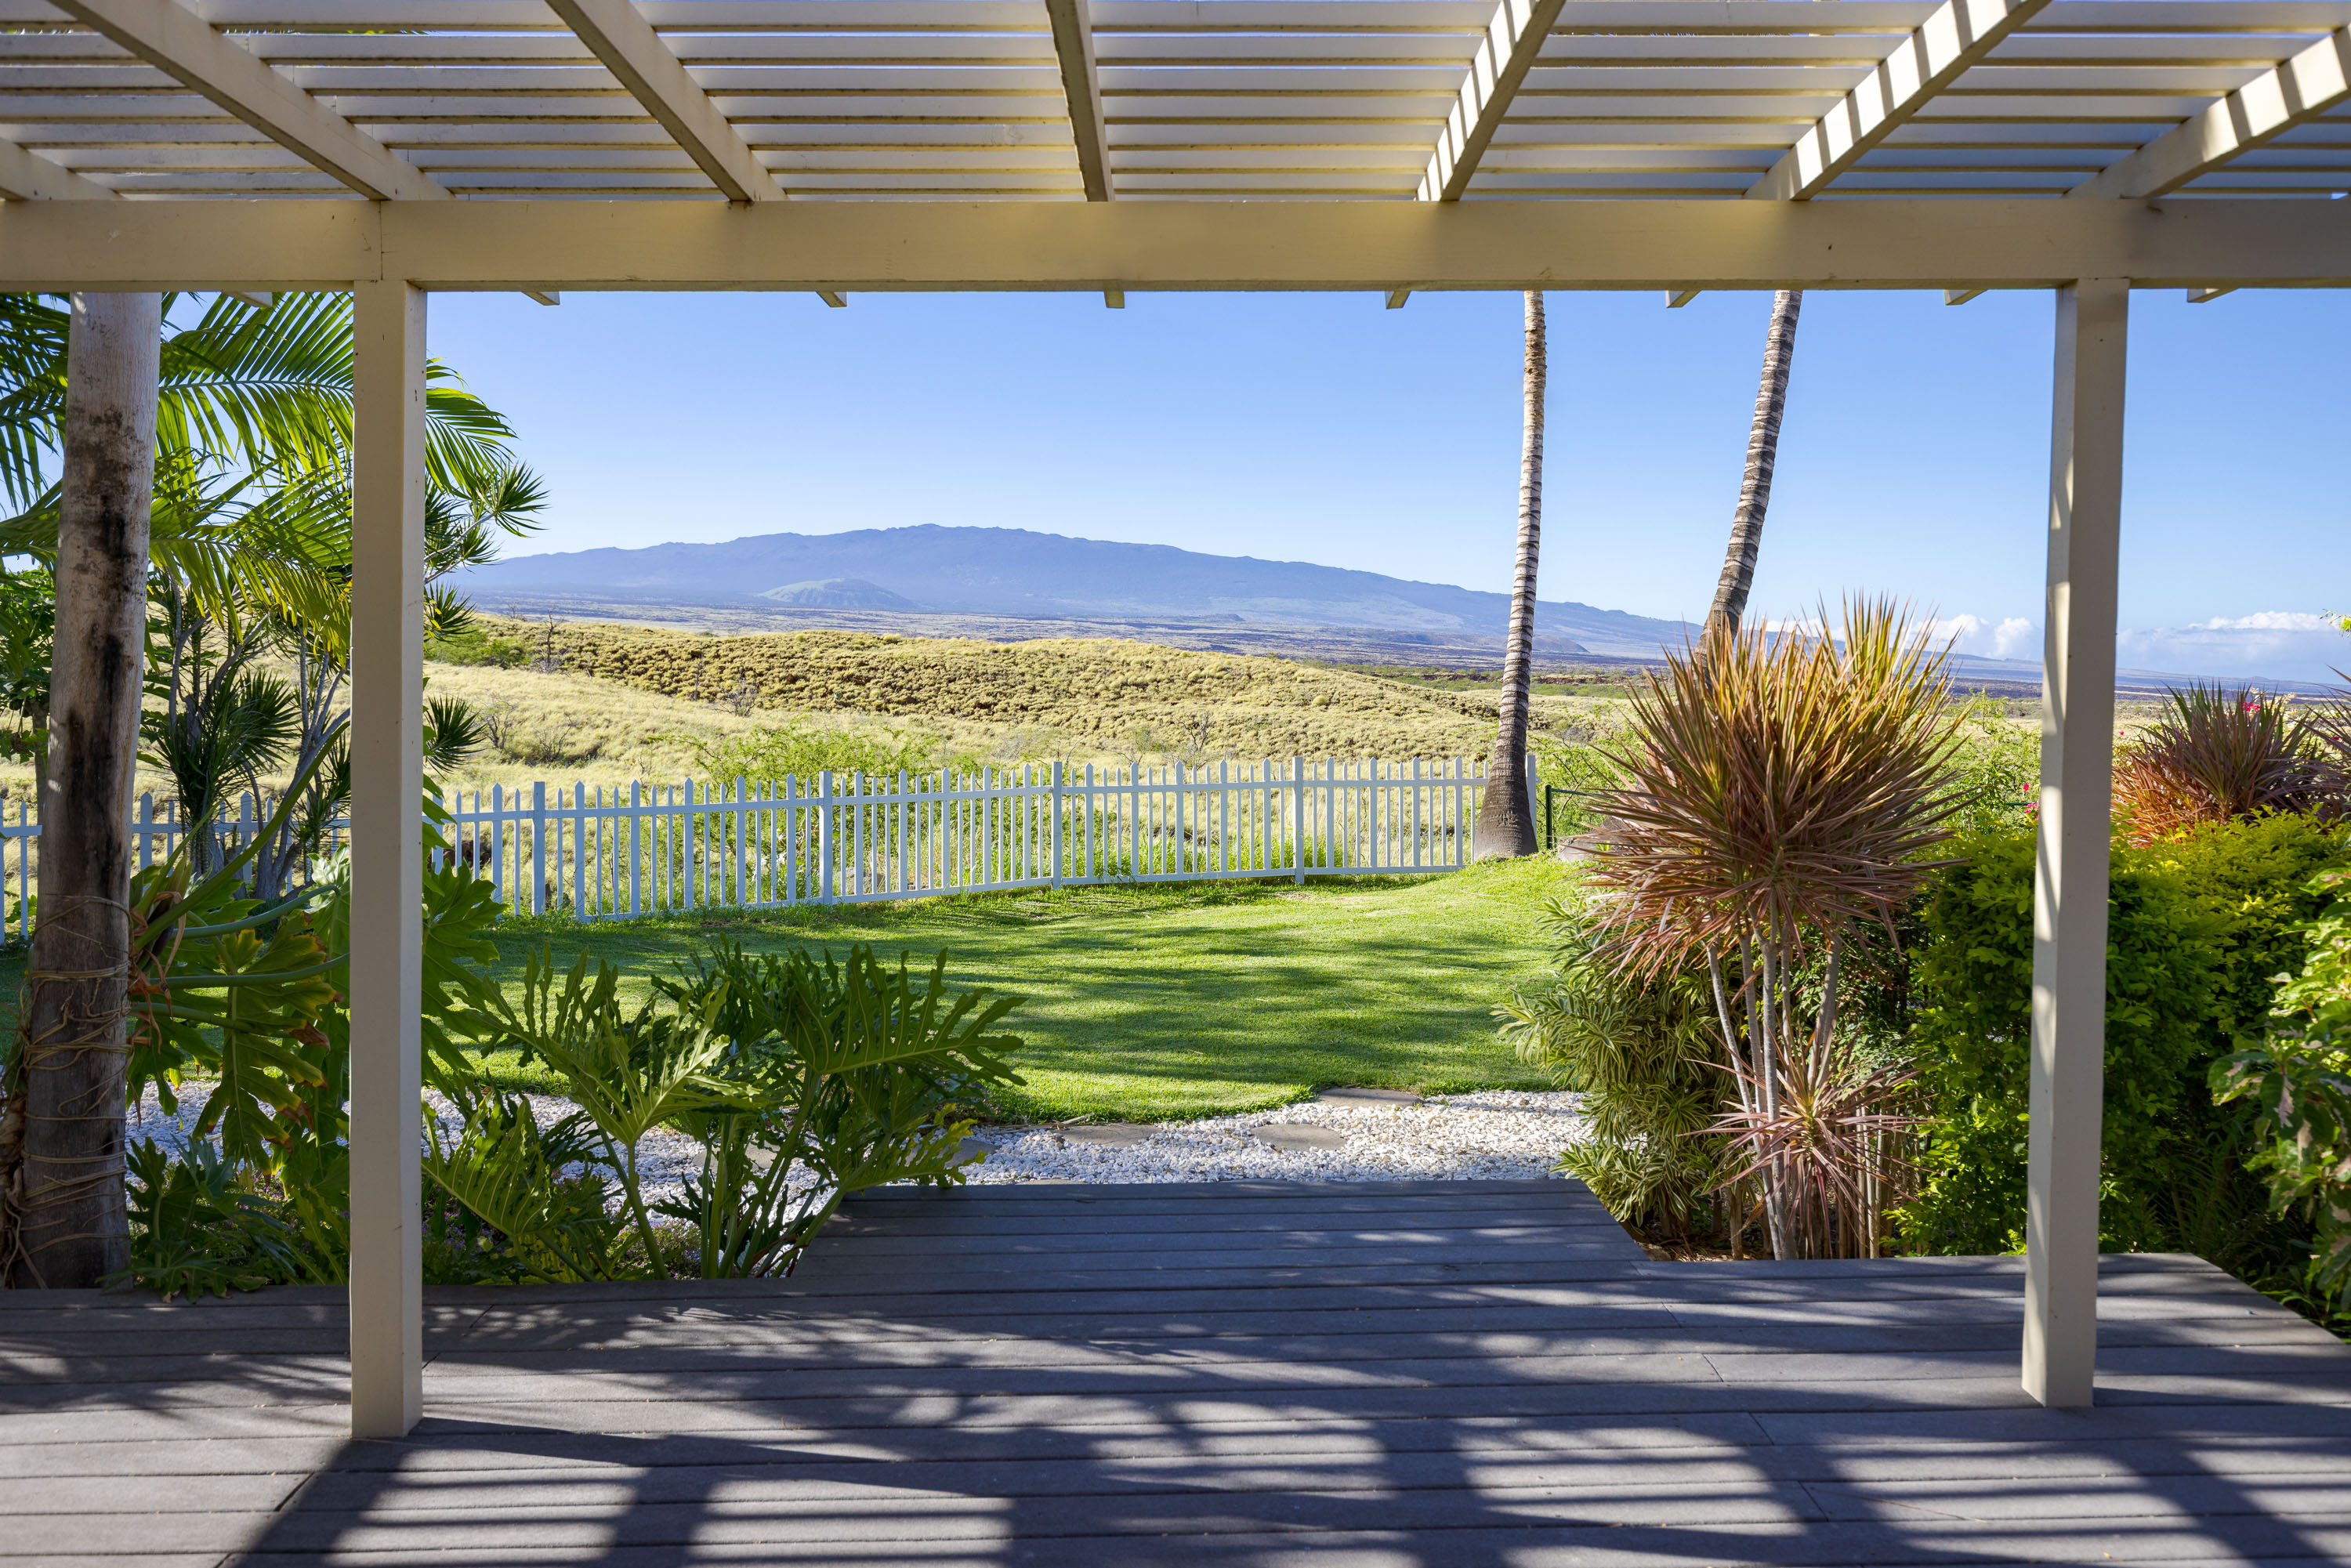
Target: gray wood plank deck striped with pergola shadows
(1210, 1376)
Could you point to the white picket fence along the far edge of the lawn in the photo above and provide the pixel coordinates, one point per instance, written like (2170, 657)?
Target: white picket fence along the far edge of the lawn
(848, 838)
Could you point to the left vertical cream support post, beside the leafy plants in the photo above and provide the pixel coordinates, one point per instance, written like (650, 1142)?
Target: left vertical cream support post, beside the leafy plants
(387, 857)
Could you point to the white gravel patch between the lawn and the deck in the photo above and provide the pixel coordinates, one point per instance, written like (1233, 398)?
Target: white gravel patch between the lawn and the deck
(1475, 1137)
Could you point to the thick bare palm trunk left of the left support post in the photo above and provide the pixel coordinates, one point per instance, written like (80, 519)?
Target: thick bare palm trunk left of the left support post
(72, 1068)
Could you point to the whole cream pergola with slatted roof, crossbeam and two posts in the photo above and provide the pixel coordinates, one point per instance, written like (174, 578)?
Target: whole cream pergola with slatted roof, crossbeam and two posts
(843, 147)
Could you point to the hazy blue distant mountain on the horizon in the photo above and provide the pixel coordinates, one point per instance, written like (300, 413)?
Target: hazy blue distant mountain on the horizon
(1012, 572)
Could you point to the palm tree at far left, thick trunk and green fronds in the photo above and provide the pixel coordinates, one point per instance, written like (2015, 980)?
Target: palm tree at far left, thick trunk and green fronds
(208, 467)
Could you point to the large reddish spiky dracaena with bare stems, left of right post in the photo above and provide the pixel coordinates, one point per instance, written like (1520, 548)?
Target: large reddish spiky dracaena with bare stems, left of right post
(1783, 798)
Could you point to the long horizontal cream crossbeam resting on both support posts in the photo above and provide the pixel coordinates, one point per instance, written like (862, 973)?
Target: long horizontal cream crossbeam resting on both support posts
(855, 248)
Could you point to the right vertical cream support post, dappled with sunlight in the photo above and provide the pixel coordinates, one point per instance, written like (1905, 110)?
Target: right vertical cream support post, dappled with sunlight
(2070, 887)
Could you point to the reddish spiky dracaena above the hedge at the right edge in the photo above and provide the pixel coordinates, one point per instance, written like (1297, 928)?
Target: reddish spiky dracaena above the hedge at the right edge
(2218, 756)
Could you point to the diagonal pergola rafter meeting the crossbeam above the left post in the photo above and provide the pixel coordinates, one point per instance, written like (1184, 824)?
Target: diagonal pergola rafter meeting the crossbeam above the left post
(180, 43)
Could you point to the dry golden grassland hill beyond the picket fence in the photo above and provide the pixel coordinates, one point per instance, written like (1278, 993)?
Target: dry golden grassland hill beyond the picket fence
(1090, 697)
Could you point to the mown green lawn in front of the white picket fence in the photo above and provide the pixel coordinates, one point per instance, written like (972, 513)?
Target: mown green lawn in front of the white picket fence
(1179, 1000)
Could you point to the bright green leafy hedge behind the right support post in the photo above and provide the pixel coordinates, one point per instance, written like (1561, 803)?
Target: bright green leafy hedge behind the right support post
(2199, 934)
